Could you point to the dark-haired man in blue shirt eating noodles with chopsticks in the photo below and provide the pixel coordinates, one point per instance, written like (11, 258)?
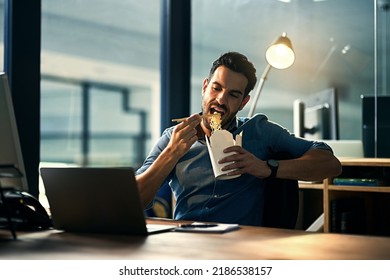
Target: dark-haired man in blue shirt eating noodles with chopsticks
(181, 158)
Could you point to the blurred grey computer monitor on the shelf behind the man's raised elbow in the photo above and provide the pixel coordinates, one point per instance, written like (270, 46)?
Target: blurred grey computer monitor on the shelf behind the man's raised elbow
(316, 117)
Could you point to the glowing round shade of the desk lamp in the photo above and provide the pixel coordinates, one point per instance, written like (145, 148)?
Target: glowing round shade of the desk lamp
(280, 54)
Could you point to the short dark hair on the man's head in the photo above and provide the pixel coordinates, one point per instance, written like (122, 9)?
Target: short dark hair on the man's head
(237, 62)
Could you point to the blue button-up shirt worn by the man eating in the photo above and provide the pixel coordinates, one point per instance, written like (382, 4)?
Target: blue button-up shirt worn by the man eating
(199, 196)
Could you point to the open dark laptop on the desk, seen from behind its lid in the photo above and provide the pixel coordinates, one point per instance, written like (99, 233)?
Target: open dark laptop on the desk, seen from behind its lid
(96, 200)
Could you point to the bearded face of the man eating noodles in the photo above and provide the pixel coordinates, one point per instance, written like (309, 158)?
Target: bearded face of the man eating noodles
(224, 94)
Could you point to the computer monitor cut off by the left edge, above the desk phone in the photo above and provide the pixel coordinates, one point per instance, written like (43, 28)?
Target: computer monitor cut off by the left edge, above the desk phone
(10, 150)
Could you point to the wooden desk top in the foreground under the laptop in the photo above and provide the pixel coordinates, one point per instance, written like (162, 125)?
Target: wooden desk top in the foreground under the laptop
(248, 243)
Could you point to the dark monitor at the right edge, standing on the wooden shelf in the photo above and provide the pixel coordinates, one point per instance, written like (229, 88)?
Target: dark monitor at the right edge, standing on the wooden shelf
(376, 126)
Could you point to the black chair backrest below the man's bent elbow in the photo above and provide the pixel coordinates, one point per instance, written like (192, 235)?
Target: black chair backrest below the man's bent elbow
(281, 203)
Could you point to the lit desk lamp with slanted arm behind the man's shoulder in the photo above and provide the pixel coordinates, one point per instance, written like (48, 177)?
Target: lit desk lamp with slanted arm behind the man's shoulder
(279, 55)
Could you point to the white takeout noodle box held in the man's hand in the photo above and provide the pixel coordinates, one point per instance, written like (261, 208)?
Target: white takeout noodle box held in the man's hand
(218, 141)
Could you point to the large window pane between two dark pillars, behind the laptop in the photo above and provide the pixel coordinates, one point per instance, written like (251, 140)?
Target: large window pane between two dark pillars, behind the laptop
(99, 81)
